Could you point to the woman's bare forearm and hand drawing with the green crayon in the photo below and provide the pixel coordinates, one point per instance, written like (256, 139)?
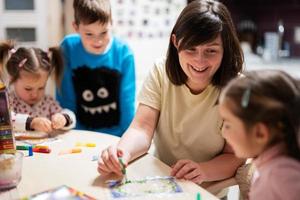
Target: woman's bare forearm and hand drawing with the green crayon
(134, 143)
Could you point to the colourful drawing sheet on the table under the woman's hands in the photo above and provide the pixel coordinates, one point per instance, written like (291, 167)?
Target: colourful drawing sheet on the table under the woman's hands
(147, 186)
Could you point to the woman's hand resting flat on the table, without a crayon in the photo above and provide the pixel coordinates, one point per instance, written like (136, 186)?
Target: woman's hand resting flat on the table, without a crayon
(188, 170)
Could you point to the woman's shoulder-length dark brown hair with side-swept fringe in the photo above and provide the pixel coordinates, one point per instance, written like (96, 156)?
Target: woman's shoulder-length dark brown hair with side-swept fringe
(200, 22)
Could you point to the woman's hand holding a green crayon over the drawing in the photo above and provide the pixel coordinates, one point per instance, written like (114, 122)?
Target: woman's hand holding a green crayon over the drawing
(108, 161)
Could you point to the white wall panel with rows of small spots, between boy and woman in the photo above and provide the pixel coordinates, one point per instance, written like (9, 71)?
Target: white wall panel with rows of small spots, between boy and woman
(145, 19)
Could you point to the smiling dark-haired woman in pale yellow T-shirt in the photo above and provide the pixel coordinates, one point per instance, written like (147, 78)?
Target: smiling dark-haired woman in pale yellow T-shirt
(178, 101)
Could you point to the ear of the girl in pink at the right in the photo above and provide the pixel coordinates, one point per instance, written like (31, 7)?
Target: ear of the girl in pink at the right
(262, 134)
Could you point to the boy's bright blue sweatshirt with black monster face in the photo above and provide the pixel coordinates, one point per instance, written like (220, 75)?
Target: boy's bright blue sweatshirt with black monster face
(99, 89)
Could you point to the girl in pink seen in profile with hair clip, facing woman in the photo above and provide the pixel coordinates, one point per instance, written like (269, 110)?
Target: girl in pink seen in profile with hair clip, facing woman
(261, 121)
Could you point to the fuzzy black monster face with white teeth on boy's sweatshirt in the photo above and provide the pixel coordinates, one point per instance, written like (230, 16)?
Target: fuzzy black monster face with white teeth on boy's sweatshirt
(97, 96)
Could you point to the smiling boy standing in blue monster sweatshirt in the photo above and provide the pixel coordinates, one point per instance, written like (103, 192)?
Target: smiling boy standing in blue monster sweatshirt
(99, 78)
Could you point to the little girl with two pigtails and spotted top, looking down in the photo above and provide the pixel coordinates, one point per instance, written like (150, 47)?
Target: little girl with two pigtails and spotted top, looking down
(27, 70)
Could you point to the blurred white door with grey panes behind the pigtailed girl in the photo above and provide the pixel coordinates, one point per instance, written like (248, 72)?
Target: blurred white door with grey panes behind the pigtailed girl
(32, 22)
